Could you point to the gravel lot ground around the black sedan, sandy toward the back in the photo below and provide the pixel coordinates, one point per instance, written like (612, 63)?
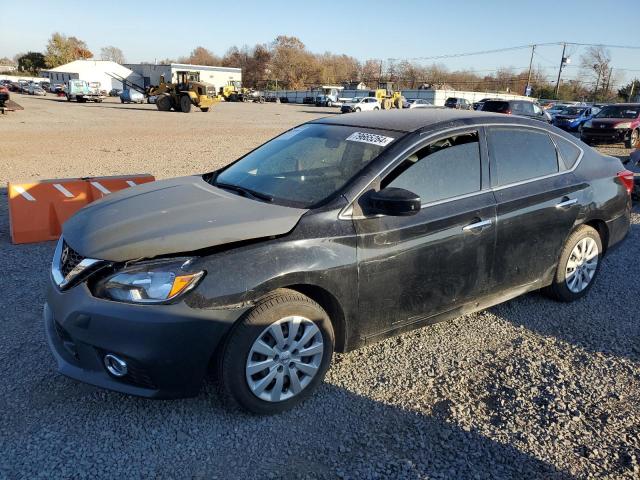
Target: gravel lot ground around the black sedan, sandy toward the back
(529, 389)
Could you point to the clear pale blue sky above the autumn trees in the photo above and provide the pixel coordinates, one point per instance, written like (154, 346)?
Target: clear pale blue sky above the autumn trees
(402, 29)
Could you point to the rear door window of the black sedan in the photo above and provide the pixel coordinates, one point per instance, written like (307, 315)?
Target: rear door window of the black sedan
(519, 154)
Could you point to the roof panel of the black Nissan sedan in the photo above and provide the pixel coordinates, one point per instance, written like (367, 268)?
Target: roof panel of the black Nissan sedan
(411, 120)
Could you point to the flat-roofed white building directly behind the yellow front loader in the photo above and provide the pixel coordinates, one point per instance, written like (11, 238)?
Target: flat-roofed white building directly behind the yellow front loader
(216, 76)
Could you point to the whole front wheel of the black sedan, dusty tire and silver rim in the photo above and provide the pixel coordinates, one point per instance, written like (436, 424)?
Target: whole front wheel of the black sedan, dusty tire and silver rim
(277, 312)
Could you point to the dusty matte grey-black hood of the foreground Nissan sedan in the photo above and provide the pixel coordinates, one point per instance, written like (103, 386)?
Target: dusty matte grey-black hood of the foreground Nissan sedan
(172, 216)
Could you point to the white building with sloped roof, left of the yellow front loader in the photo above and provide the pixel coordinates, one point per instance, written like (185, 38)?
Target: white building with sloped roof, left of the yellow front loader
(104, 72)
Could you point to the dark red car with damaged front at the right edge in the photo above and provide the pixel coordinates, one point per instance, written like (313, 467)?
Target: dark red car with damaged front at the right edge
(619, 122)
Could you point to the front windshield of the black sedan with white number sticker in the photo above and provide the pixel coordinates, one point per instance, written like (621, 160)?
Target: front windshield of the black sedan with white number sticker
(306, 165)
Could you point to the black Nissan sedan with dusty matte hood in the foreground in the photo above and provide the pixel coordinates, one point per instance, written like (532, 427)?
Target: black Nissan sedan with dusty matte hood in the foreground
(337, 233)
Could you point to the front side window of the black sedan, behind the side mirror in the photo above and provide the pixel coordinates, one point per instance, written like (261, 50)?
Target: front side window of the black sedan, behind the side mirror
(446, 168)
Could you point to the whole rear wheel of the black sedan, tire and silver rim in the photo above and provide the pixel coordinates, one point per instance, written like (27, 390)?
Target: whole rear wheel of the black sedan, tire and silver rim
(569, 288)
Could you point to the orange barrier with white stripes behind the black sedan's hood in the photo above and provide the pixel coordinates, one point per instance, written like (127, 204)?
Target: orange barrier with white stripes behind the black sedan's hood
(37, 210)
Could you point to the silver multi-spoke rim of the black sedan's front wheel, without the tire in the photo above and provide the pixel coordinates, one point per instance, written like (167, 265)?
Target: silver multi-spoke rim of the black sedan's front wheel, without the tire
(284, 359)
